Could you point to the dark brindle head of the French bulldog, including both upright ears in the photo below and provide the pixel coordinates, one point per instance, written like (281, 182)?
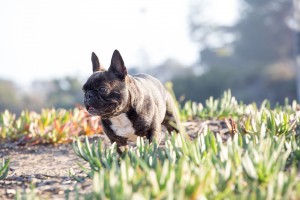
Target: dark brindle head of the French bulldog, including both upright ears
(105, 92)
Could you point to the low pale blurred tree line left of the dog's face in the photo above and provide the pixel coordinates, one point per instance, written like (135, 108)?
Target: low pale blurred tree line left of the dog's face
(57, 93)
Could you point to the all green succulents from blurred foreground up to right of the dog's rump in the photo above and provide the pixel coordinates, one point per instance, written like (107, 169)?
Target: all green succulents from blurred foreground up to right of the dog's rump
(260, 160)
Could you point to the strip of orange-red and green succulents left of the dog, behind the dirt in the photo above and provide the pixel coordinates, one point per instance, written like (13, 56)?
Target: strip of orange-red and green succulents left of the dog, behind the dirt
(50, 126)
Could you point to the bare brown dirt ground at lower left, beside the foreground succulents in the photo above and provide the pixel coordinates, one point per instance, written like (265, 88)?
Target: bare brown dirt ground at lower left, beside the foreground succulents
(46, 167)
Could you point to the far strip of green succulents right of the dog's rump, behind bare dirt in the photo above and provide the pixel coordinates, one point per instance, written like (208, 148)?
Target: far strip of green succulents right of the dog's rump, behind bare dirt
(228, 106)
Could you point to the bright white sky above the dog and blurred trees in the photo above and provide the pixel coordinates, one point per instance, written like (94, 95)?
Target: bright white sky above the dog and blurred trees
(42, 39)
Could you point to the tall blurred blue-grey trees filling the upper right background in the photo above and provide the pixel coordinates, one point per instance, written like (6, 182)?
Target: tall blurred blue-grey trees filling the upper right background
(254, 57)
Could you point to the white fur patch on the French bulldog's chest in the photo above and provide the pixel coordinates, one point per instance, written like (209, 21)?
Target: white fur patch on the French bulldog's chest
(122, 126)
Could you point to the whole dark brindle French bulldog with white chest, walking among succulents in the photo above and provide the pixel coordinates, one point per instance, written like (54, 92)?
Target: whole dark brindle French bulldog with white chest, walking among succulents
(129, 105)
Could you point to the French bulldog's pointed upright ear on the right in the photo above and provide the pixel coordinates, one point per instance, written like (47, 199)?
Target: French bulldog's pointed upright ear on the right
(117, 65)
